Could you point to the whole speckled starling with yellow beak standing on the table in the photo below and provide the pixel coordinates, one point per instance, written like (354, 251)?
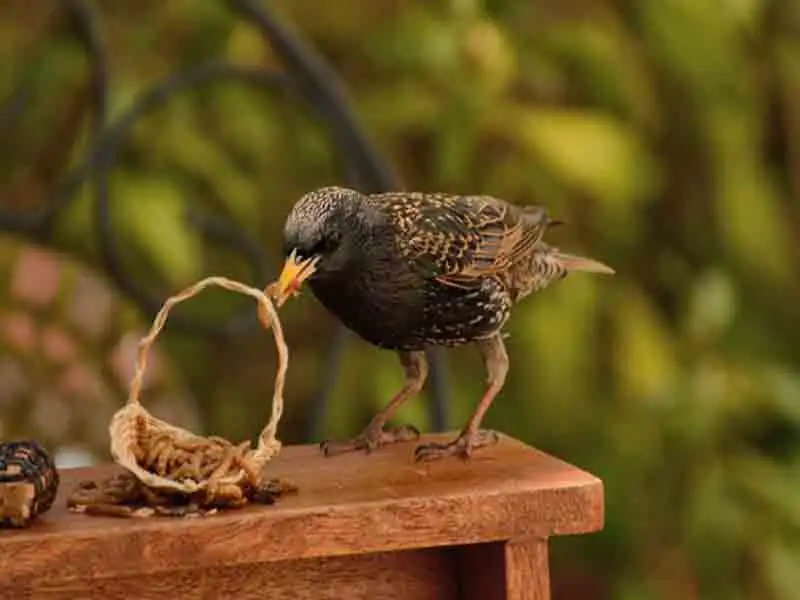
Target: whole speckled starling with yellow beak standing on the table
(409, 270)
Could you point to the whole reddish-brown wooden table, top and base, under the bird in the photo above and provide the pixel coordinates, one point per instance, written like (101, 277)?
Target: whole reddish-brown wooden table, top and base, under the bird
(361, 527)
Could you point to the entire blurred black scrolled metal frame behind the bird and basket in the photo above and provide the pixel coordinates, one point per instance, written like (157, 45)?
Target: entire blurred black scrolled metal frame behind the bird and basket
(306, 78)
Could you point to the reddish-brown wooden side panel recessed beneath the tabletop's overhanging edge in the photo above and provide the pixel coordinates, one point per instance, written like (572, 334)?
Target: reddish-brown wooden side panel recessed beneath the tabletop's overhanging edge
(406, 575)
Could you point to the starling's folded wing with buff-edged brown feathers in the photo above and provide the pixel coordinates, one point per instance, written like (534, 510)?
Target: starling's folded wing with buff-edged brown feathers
(458, 240)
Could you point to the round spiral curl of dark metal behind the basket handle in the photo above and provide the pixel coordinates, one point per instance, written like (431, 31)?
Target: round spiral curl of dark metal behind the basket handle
(103, 157)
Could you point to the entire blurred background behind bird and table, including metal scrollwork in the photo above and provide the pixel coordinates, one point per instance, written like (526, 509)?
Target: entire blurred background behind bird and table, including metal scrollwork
(146, 144)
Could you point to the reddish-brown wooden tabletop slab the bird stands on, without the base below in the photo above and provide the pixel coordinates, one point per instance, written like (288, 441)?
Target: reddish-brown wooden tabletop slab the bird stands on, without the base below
(348, 504)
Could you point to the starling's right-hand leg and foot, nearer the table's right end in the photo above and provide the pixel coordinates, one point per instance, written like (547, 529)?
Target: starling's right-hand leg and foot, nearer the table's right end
(472, 437)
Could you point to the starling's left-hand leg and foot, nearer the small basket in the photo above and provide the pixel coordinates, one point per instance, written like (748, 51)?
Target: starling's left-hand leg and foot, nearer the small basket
(374, 435)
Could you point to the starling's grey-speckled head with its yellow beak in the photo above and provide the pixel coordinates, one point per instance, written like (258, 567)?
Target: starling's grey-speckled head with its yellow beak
(314, 237)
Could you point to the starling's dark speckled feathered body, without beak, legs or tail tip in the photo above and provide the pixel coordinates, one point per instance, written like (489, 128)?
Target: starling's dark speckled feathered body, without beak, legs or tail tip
(424, 269)
